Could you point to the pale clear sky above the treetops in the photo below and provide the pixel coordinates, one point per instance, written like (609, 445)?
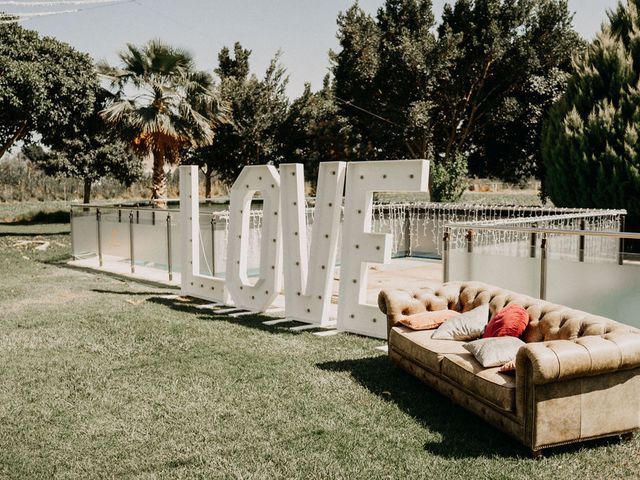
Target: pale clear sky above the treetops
(304, 30)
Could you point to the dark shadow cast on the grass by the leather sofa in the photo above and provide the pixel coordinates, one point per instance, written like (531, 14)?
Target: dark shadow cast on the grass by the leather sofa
(464, 435)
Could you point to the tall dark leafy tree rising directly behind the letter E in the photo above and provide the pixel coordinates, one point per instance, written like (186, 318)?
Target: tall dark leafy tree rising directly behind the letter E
(382, 76)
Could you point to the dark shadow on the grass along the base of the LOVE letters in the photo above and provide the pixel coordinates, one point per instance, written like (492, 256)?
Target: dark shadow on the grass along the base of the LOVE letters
(254, 320)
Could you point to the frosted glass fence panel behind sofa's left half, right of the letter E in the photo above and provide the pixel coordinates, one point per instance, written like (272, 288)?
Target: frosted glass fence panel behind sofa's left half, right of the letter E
(519, 274)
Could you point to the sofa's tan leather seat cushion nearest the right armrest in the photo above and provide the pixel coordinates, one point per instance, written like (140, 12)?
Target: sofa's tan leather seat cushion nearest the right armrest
(488, 384)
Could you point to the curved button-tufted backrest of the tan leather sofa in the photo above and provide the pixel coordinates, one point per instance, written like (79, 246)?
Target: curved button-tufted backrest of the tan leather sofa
(547, 321)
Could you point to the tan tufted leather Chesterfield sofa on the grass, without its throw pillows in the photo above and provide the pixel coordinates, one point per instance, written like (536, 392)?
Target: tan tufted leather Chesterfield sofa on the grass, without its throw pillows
(577, 378)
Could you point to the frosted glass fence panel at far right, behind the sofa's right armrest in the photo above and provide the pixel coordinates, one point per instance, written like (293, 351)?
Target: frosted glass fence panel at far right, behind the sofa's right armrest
(606, 289)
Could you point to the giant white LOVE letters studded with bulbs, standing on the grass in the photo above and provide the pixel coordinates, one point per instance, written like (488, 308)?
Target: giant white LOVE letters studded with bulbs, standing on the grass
(308, 269)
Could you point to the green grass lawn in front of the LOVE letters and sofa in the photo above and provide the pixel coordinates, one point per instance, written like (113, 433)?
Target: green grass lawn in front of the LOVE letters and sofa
(102, 377)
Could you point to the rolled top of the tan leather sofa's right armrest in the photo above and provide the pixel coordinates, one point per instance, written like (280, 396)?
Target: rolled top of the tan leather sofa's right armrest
(586, 356)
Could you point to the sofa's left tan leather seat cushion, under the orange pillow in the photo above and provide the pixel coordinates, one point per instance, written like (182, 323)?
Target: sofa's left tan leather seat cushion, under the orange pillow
(420, 348)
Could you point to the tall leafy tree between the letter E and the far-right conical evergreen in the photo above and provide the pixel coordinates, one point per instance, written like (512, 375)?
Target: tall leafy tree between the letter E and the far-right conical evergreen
(511, 61)
